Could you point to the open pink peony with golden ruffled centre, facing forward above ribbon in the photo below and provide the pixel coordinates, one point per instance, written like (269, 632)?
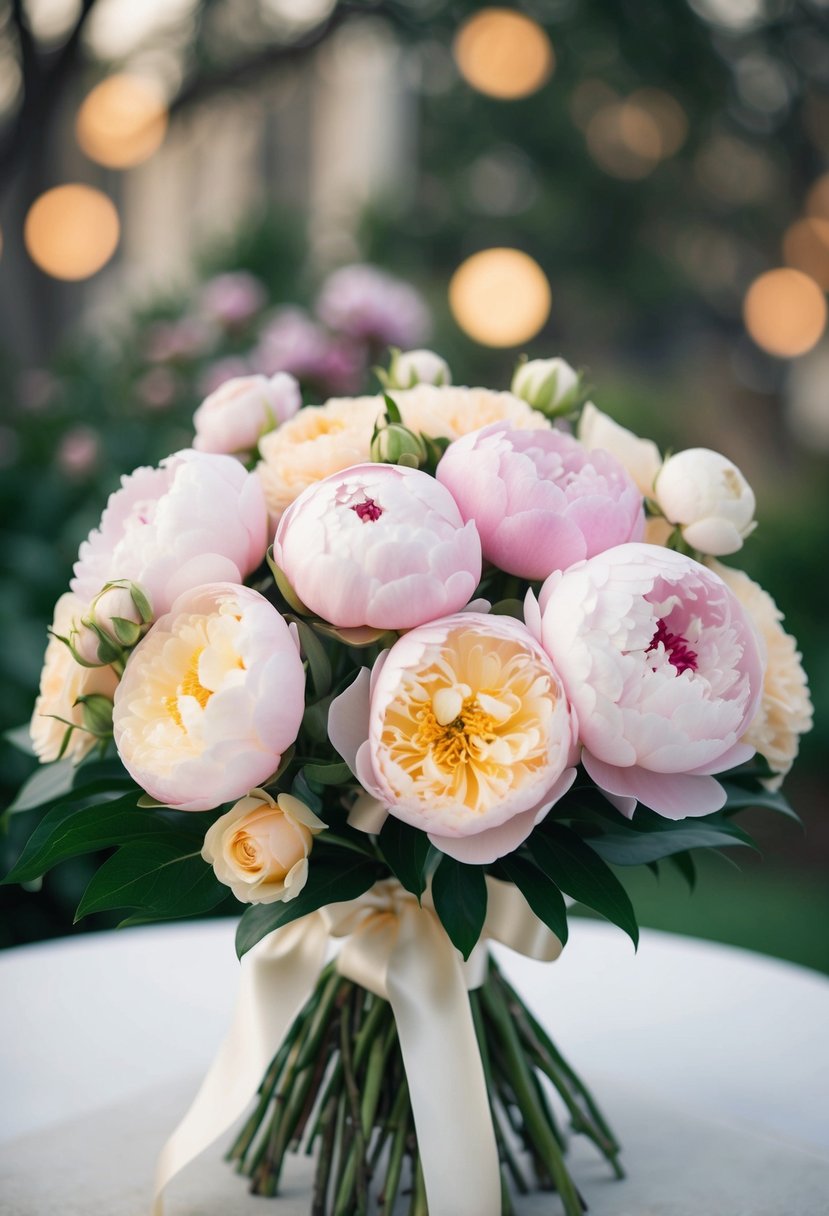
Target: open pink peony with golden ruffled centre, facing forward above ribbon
(464, 731)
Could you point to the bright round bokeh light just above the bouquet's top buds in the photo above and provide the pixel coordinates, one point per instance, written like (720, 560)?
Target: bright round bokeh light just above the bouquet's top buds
(500, 297)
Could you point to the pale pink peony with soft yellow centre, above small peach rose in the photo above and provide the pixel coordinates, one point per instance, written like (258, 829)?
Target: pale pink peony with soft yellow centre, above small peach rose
(196, 719)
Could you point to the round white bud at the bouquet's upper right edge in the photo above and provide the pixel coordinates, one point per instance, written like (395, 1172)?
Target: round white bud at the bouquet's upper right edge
(707, 497)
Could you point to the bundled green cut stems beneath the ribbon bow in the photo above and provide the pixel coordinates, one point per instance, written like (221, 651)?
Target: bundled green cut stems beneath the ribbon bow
(339, 1088)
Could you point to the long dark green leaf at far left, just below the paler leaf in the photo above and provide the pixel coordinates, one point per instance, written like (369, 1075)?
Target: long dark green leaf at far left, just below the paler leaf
(70, 831)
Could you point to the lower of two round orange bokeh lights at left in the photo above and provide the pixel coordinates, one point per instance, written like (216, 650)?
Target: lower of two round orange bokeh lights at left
(72, 232)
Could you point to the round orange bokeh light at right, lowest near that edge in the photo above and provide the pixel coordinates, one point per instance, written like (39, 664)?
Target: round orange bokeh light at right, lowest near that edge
(786, 313)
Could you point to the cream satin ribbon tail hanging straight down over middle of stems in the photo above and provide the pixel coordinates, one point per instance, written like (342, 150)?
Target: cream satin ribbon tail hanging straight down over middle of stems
(447, 1084)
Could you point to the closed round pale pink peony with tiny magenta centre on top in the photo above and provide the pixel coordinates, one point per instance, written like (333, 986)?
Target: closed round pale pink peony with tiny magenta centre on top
(379, 545)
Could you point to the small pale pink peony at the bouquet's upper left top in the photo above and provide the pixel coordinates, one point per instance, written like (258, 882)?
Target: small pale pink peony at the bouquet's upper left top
(234, 418)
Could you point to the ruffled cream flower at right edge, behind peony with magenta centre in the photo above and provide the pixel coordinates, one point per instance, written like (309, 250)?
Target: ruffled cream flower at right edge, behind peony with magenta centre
(786, 707)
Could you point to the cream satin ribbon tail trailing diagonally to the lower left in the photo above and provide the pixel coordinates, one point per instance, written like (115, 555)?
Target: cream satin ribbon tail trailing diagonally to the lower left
(278, 978)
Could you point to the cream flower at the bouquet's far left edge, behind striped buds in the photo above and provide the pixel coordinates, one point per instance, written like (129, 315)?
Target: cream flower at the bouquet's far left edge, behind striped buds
(63, 683)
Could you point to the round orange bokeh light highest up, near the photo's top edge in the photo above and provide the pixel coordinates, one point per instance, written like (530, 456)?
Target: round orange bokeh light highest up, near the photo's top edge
(504, 54)
